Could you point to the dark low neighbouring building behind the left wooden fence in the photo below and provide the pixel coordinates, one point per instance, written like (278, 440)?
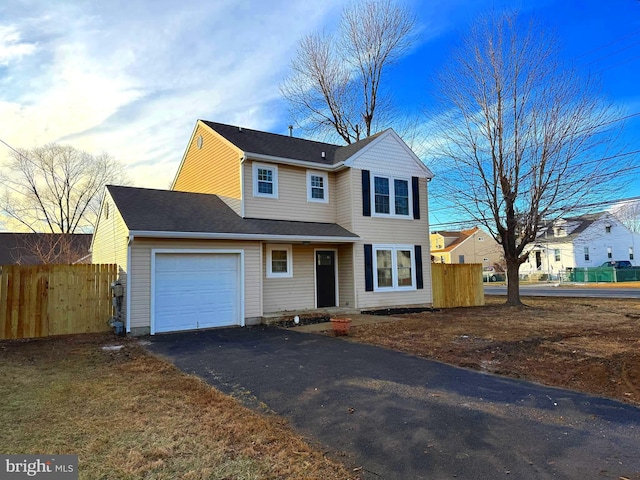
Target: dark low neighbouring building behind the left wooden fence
(42, 248)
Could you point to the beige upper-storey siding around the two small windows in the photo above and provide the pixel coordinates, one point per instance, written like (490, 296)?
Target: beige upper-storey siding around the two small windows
(291, 203)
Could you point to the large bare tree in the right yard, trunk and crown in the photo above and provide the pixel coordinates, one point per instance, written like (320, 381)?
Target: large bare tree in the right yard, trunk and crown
(522, 137)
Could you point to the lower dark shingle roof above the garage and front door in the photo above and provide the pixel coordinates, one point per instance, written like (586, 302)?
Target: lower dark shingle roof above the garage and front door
(165, 212)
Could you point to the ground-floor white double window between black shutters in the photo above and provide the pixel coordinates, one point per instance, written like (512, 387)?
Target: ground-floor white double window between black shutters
(393, 267)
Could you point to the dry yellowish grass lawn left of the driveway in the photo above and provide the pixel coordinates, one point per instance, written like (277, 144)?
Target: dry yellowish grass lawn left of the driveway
(129, 415)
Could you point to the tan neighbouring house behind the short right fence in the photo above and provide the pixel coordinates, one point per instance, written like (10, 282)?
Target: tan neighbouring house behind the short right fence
(465, 246)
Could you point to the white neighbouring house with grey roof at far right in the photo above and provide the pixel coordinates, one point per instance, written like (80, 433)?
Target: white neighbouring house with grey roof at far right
(584, 241)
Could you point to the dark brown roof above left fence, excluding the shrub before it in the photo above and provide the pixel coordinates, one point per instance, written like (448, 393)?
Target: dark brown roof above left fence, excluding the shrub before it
(19, 247)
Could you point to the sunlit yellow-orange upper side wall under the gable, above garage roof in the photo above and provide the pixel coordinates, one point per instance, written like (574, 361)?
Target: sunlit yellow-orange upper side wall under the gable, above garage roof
(215, 168)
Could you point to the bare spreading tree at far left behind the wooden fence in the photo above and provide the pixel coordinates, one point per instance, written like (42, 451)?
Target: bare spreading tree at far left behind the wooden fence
(55, 188)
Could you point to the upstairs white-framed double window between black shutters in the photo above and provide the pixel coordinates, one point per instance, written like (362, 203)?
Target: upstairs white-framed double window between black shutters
(391, 196)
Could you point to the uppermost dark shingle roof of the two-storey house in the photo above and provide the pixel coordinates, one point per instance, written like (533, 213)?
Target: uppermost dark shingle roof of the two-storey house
(284, 146)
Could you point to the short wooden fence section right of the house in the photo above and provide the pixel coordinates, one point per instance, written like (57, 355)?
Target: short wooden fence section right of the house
(457, 285)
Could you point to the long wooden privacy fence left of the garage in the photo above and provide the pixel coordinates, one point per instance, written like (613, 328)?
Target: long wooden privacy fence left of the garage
(42, 300)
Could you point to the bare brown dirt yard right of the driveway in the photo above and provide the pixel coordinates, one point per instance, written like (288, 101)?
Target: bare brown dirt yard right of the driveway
(591, 345)
